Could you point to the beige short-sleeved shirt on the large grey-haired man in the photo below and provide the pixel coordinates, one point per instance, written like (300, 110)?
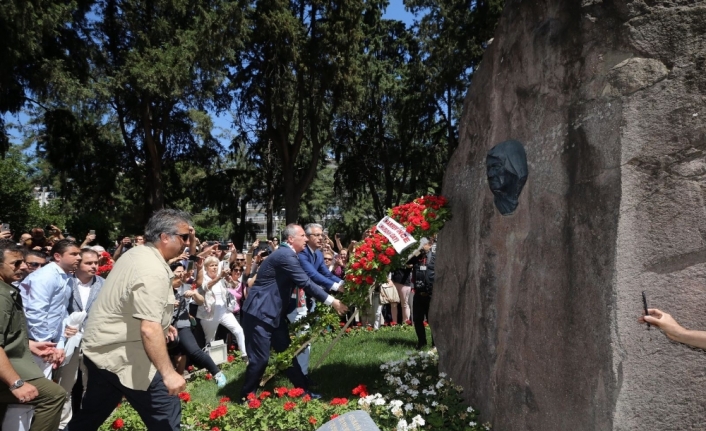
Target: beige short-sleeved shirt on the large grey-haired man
(138, 288)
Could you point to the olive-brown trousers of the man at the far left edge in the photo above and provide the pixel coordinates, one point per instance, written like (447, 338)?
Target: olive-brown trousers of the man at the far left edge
(47, 405)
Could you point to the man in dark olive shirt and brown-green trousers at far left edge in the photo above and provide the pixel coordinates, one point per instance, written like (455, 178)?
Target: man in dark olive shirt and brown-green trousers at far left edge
(23, 381)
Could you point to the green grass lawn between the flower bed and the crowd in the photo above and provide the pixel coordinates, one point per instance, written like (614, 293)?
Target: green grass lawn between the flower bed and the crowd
(354, 360)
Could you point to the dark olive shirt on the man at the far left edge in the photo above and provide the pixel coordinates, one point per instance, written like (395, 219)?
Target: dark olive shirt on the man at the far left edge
(13, 333)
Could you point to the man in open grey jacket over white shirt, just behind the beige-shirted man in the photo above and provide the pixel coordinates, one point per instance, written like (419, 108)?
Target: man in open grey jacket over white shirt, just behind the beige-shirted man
(85, 287)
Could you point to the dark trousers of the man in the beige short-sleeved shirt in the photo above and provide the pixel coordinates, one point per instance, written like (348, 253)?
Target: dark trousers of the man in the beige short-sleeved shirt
(158, 410)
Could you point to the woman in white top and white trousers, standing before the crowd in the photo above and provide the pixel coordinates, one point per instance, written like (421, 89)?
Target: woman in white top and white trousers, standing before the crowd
(214, 311)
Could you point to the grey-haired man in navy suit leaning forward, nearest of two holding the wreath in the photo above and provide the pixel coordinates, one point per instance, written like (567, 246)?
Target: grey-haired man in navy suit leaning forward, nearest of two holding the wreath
(264, 311)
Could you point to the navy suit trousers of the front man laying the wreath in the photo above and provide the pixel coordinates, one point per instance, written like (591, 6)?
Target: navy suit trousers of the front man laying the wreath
(259, 336)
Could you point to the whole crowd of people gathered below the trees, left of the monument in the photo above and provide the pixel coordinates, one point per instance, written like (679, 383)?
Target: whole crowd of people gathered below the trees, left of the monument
(70, 332)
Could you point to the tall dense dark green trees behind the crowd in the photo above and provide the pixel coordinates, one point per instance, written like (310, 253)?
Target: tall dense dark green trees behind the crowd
(337, 113)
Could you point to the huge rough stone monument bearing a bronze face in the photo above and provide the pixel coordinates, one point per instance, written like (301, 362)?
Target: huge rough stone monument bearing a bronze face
(535, 313)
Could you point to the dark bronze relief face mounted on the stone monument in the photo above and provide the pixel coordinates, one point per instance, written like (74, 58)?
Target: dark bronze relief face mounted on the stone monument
(507, 173)
